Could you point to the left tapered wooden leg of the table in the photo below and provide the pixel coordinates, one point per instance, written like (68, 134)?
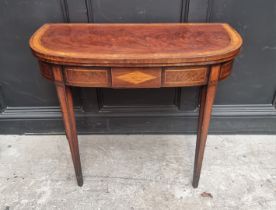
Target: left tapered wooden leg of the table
(66, 104)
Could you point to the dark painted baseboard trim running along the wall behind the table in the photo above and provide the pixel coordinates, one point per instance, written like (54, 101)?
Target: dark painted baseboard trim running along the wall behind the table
(226, 119)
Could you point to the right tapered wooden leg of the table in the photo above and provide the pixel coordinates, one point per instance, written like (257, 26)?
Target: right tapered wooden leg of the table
(206, 102)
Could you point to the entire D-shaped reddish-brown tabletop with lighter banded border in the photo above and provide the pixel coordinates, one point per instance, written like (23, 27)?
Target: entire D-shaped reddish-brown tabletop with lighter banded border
(135, 43)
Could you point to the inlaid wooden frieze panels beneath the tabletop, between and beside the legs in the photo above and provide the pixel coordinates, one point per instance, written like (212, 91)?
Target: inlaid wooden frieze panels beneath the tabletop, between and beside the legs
(136, 77)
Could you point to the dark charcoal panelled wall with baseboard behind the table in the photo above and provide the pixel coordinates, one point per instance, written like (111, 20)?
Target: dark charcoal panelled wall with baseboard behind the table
(245, 102)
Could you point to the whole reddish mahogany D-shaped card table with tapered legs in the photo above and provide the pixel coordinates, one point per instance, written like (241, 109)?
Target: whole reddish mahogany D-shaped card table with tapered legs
(136, 56)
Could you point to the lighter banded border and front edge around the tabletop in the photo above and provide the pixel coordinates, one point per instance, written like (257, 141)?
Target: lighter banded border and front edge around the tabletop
(225, 54)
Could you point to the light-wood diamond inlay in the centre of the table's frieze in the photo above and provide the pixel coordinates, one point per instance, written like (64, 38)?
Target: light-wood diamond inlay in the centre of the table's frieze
(136, 77)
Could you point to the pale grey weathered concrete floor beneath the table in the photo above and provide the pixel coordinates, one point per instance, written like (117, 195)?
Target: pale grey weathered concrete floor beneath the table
(137, 172)
